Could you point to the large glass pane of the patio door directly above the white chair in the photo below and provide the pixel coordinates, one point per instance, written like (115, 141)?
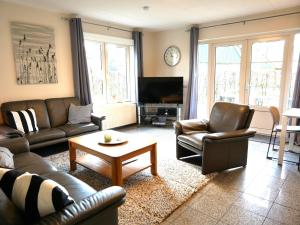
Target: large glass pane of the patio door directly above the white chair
(265, 73)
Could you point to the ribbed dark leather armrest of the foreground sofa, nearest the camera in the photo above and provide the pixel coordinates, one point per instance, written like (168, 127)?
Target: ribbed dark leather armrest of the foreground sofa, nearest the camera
(89, 207)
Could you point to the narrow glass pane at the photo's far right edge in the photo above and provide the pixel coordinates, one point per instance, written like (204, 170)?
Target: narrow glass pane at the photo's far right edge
(296, 55)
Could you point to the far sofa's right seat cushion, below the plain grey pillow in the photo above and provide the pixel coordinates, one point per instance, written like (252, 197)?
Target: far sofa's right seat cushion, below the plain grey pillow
(75, 129)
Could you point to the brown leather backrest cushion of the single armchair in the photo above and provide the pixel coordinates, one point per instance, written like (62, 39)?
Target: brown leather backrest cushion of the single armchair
(228, 117)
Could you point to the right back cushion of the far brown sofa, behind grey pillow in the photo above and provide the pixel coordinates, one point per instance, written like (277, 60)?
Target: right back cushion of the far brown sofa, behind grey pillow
(58, 109)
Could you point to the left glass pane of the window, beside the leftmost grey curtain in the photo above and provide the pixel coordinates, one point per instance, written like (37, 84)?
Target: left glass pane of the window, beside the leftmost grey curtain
(96, 74)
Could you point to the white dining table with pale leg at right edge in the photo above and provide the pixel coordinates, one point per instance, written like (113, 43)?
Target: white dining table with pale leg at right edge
(294, 114)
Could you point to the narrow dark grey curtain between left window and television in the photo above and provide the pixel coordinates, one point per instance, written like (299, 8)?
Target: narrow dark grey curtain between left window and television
(138, 52)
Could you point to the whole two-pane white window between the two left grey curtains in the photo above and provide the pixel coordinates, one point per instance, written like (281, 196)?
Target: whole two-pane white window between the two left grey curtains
(110, 67)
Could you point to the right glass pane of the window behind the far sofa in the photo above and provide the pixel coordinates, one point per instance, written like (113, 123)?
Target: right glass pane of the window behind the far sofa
(117, 82)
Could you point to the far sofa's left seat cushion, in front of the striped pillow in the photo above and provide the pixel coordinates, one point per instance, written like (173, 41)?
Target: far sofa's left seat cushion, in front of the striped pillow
(45, 135)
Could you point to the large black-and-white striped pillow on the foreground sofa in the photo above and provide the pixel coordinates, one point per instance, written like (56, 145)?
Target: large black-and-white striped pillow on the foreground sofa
(34, 195)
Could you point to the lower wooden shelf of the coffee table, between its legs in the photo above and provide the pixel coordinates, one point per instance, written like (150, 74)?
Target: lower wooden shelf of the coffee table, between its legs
(104, 168)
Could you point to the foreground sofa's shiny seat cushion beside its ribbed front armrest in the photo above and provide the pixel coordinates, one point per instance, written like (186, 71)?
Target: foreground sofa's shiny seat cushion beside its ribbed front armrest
(77, 189)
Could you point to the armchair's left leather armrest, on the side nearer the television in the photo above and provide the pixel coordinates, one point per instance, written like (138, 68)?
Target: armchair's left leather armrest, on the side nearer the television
(190, 126)
